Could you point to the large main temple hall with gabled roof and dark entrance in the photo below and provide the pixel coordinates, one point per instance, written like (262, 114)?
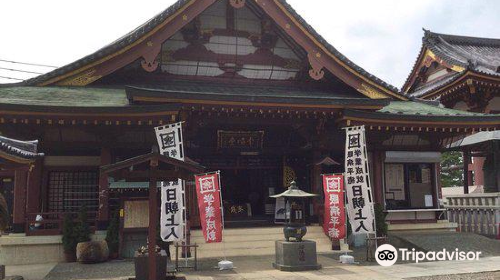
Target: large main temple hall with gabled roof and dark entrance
(263, 98)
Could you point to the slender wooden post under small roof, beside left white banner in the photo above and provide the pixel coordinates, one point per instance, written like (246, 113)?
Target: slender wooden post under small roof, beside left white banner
(153, 220)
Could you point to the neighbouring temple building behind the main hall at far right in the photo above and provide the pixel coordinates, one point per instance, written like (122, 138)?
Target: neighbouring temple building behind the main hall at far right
(462, 73)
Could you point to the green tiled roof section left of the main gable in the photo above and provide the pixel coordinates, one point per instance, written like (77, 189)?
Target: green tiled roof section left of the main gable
(63, 96)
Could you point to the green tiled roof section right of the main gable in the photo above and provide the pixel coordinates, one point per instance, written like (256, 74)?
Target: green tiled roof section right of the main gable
(420, 108)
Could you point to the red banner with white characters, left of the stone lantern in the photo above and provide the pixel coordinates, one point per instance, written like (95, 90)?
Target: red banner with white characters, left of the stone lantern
(209, 204)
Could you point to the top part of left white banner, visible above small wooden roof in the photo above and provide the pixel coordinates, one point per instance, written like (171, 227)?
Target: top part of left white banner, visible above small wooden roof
(170, 140)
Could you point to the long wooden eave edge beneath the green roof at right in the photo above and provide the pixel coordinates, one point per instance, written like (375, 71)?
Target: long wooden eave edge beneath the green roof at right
(391, 119)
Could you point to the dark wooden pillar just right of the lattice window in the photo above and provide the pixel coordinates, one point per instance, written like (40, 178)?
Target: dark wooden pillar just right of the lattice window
(103, 210)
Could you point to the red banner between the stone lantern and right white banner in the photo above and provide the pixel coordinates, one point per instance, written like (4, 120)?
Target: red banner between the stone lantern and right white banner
(334, 218)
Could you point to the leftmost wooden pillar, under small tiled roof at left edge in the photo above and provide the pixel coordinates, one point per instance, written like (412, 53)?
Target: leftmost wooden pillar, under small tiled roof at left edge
(19, 205)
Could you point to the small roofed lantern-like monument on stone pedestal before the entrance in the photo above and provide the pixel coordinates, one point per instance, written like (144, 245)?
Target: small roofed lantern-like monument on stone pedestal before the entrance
(294, 253)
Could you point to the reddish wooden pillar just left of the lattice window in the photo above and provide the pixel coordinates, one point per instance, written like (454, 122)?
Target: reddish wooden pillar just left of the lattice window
(34, 191)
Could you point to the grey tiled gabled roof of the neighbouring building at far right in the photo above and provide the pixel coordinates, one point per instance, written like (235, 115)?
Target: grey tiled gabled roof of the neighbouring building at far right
(462, 54)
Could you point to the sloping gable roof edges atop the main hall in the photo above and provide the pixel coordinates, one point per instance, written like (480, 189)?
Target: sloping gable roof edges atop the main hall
(138, 37)
